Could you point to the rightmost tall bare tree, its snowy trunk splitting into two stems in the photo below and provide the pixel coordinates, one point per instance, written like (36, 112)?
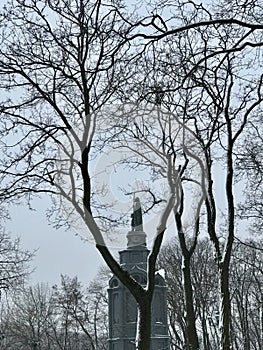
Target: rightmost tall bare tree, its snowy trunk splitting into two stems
(219, 108)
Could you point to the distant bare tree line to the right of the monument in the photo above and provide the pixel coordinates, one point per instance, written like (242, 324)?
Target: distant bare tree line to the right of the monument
(246, 290)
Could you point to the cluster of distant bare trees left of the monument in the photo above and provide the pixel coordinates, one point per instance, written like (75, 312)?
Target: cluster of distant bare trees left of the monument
(66, 317)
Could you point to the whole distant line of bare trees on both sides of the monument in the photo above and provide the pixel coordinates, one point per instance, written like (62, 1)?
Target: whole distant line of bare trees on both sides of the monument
(72, 317)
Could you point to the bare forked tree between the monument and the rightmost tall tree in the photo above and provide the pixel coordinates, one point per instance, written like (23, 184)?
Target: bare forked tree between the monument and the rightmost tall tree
(153, 136)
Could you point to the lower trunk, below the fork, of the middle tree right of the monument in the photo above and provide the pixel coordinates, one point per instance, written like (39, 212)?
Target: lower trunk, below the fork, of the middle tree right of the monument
(192, 342)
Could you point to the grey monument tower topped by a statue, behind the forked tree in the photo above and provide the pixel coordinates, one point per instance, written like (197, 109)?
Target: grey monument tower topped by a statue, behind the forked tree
(122, 305)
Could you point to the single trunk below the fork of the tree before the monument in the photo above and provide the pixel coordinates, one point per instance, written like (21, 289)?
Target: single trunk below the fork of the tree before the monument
(143, 337)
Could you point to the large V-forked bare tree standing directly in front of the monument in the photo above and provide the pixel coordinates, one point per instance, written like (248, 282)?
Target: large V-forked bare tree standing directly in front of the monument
(59, 66)
